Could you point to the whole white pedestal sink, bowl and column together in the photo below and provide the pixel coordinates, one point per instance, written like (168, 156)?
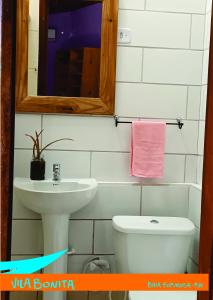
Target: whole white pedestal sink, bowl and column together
(55, 201)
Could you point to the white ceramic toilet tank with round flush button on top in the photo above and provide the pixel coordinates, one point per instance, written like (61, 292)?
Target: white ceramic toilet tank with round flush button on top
(151, 244)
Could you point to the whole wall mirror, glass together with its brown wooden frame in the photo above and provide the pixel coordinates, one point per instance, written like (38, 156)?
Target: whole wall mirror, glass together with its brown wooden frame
(62, 56)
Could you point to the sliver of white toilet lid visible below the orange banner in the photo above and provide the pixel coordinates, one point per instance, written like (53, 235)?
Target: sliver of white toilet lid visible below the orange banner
(162, 295)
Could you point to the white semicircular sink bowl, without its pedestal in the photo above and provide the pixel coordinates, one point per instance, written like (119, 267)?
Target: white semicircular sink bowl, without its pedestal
(49, 197)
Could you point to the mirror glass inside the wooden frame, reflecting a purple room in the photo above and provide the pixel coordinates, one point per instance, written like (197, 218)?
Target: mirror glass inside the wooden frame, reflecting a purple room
(64, 48)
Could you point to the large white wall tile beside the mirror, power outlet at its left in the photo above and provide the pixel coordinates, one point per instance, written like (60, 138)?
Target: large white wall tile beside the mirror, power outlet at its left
(154, 29)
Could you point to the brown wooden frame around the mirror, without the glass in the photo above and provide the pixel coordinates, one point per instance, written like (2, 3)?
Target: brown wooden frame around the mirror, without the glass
(104, 105)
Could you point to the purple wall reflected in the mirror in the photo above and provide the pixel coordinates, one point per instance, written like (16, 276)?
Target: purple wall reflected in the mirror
(76, 29)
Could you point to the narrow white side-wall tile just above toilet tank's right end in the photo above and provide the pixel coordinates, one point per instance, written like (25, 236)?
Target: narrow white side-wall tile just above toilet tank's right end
(195, 205)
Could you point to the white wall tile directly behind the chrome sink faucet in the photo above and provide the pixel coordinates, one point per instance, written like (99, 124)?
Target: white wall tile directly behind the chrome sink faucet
(73, 164)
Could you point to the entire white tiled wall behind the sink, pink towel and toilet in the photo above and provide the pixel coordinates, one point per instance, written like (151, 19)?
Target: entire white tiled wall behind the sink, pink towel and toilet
(161, 74)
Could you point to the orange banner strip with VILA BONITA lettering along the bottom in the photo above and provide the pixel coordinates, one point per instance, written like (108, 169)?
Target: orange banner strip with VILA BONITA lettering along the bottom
(114, 282)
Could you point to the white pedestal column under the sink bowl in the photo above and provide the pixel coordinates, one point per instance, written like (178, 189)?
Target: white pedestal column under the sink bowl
(55, 230)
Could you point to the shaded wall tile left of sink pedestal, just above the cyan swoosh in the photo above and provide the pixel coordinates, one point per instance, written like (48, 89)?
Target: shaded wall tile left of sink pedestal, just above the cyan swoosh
(27, 237)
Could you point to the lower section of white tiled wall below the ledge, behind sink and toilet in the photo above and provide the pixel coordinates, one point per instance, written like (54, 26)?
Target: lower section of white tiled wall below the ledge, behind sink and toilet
(90, 230)
